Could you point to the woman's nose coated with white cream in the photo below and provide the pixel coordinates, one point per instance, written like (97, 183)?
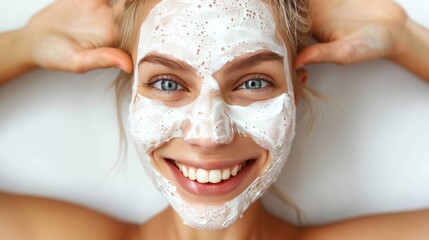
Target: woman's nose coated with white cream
(210, 125)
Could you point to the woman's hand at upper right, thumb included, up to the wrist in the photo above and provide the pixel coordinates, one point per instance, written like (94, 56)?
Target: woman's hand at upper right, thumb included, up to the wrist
(352, 31)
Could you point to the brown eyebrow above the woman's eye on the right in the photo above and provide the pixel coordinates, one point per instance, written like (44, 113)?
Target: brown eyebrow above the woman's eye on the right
(253, 60)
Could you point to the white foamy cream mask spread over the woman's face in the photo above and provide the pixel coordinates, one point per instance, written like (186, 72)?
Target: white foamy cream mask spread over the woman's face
(207, 34)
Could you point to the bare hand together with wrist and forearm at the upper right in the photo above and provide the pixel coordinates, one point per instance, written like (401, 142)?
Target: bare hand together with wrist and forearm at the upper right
(381, 30)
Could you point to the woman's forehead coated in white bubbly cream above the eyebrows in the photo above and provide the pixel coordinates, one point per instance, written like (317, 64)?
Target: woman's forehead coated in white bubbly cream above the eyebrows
(208, 33)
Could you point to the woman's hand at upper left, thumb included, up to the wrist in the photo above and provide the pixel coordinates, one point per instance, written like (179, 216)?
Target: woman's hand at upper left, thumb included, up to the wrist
(77, 36)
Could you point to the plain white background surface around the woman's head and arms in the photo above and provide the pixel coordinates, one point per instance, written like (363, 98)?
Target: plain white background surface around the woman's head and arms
(369, 153)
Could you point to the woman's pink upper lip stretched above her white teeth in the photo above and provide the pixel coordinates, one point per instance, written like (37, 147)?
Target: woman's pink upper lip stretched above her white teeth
(207, 165)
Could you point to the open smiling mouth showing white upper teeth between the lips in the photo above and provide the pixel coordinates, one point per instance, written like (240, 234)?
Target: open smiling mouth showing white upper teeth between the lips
(212, 176)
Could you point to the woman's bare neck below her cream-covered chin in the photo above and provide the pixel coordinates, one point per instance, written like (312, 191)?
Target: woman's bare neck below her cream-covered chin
(256, 223)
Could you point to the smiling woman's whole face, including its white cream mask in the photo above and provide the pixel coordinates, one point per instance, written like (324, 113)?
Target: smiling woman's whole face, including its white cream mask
(212, 113)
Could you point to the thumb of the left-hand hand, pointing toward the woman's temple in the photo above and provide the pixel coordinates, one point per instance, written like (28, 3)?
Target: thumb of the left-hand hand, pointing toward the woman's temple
(102, 58)
